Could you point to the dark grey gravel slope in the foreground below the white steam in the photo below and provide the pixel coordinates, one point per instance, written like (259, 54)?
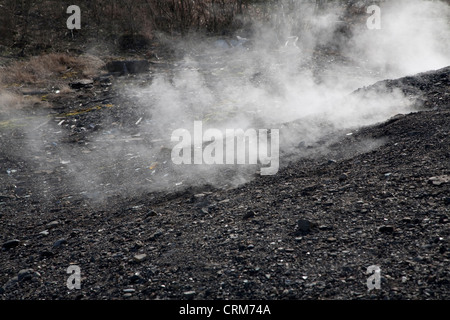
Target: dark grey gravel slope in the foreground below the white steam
(309, 232)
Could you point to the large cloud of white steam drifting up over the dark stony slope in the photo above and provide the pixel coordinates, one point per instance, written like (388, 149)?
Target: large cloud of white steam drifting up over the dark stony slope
(282, 73)
